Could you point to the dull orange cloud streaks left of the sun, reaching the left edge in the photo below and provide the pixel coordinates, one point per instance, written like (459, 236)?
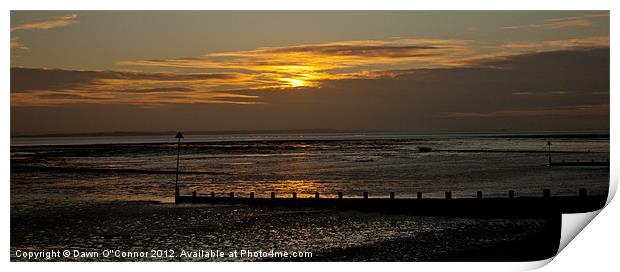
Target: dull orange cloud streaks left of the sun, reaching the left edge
(57, 87)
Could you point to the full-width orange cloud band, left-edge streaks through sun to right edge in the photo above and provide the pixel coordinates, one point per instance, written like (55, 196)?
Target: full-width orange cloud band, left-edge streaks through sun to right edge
(301, 67)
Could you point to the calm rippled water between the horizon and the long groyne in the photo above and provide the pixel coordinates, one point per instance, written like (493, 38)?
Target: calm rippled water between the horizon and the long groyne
(43, 170)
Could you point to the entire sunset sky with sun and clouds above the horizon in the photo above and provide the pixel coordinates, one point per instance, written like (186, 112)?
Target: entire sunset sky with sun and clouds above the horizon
(94, 71)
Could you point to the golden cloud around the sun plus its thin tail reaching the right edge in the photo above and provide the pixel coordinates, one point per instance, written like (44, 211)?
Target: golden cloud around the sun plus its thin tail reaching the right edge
(308, 65)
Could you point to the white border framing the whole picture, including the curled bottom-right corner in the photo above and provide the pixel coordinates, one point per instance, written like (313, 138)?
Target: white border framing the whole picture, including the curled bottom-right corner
(573, 257)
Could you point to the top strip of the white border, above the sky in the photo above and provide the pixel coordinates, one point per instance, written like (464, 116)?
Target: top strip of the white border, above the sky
(313, 5)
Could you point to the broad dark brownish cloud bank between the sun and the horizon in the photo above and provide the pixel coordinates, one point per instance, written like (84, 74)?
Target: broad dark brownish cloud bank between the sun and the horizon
(563, 89)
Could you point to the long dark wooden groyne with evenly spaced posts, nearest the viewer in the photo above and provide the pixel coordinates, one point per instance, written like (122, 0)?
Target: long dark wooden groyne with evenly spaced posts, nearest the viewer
(511, 205)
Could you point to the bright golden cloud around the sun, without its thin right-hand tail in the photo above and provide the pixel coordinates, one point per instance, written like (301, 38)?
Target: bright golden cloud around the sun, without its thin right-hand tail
(306, 65)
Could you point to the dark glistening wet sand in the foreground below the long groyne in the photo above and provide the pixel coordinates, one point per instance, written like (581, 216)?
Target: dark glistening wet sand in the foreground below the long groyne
(329, 235)
